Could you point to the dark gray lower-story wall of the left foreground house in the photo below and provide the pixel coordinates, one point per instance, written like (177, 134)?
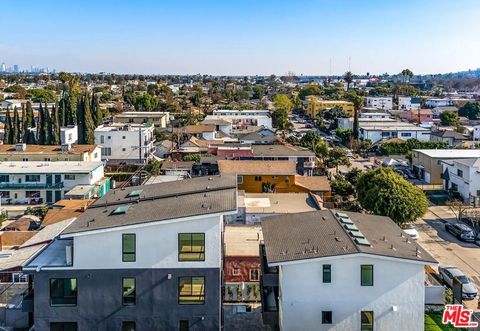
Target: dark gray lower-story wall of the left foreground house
(99, 300)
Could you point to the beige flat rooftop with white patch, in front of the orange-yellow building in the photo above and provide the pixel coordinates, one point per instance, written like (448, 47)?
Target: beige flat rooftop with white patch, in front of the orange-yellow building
(276, 203)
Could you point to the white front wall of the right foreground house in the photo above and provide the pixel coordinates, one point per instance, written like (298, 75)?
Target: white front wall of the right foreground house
(396, 283)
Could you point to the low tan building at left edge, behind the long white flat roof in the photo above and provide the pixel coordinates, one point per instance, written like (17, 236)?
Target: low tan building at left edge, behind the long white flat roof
(24, 152)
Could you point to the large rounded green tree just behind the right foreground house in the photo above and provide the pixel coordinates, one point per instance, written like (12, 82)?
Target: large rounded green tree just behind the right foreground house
(384, 192)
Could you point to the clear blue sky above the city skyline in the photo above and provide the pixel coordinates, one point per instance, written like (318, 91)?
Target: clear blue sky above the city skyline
(241, 36)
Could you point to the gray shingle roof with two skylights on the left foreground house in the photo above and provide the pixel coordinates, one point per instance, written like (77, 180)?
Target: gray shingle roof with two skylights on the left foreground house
(158, 202)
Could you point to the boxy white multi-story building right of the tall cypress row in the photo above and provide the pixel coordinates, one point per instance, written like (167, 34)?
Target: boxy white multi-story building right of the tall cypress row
(121, 142)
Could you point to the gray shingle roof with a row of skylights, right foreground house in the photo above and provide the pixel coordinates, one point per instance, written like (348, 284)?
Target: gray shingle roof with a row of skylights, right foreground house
(318, 234)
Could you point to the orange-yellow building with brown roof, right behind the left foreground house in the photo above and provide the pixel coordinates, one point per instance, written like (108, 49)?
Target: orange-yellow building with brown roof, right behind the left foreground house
(273, 176)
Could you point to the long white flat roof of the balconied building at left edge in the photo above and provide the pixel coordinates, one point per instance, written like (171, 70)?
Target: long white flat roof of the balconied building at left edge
(38, 167)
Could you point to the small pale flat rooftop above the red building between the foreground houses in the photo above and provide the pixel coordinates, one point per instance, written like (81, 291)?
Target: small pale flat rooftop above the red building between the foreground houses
(242, 240)
